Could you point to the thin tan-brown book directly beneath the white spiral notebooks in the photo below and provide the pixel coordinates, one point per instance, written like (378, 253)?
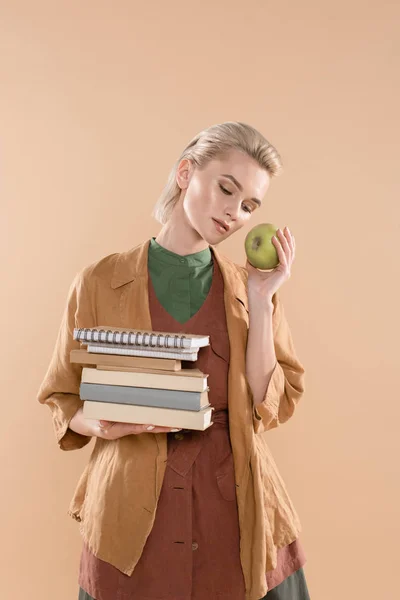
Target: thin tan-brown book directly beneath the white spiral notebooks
(83, 357)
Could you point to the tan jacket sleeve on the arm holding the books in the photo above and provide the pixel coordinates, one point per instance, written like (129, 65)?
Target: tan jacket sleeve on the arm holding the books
(60, 387)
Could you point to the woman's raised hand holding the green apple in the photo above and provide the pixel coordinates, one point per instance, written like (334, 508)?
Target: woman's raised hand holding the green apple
(262, 285)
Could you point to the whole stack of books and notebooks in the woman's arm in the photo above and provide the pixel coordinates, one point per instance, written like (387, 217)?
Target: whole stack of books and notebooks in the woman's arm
(132, 376)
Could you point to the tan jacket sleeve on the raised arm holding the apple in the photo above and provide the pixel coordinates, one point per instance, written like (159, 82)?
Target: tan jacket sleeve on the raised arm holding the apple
(286, 385)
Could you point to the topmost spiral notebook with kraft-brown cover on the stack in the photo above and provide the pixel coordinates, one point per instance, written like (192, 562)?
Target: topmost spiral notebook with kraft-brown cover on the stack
(144, 339)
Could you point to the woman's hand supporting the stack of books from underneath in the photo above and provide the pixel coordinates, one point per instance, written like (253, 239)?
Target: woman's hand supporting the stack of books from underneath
(109, 430)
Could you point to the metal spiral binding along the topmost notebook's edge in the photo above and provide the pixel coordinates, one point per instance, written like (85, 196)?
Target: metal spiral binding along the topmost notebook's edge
(85, 334)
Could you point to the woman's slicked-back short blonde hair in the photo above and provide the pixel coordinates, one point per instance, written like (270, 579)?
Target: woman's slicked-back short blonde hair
(212, 143)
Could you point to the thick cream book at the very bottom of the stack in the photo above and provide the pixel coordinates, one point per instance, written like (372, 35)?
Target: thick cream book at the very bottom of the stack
(163, 417)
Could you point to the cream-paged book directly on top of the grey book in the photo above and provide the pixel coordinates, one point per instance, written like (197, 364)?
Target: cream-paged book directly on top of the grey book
(192, 380)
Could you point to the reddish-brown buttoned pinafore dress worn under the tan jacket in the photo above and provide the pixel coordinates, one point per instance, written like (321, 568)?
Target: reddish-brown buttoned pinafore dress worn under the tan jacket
(192, 552)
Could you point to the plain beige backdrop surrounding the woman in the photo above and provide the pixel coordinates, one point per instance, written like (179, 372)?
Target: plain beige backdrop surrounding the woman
(97, 101)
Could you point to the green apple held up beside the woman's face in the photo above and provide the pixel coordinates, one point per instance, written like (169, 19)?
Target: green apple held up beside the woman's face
(259, 247)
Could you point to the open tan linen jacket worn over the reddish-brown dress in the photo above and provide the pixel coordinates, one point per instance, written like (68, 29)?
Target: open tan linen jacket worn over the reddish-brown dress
(116, 497)
